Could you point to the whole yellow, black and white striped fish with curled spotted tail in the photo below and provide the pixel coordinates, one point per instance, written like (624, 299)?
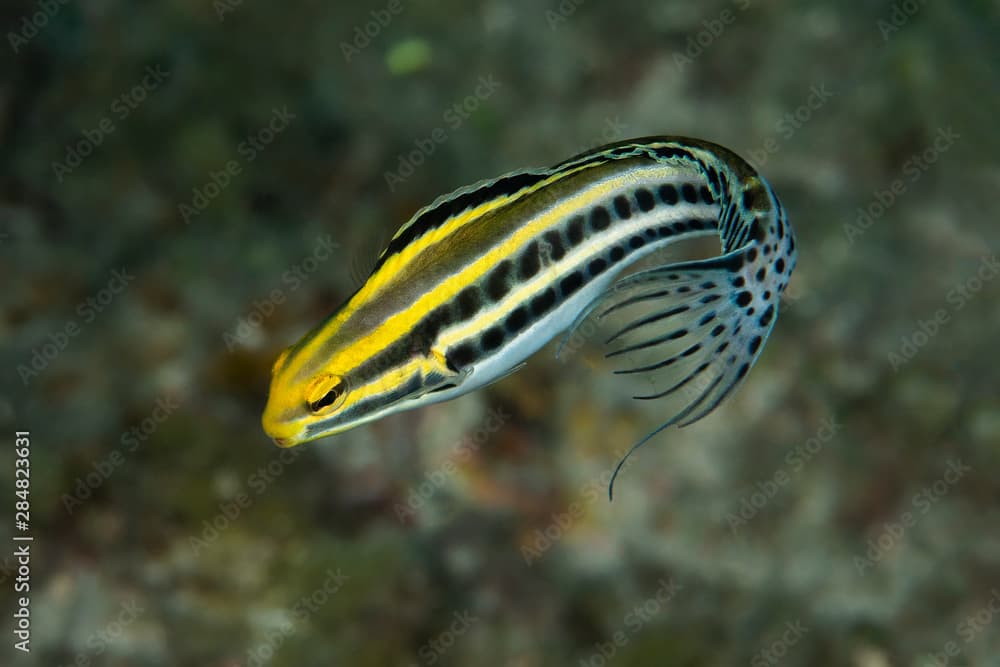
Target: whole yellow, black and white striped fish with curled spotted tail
(479, 280)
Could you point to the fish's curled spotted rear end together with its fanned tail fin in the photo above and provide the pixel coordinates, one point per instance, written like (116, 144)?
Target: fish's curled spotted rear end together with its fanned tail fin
(693, 330)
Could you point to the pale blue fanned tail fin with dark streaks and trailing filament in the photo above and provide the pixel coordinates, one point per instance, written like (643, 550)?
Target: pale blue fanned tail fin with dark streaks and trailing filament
(692, 330)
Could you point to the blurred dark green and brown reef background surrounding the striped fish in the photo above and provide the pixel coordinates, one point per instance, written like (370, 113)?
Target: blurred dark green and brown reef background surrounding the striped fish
(187, 187)
